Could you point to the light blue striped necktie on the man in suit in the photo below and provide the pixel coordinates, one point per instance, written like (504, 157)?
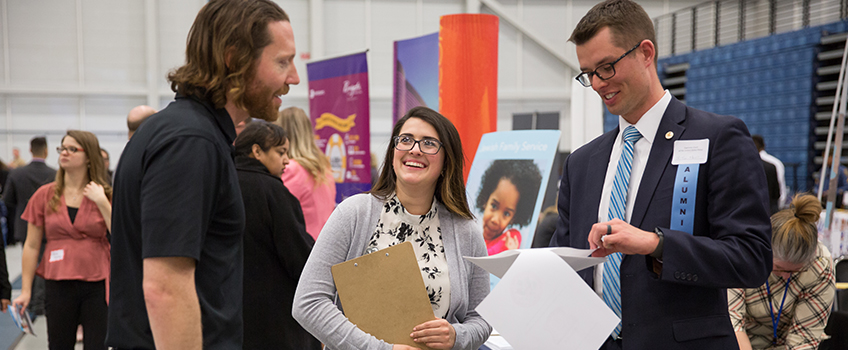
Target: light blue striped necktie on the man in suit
(618, 208)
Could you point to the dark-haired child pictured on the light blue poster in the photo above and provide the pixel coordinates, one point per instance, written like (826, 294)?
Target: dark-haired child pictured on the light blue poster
(507, 197)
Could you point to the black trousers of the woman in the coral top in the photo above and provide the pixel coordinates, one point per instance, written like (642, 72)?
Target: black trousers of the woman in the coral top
(71, 303)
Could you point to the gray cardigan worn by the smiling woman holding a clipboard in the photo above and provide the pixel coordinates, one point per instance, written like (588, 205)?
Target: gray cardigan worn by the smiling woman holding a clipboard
(345, 236)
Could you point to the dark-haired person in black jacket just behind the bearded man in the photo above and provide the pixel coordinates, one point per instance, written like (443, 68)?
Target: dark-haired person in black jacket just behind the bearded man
(276, 244)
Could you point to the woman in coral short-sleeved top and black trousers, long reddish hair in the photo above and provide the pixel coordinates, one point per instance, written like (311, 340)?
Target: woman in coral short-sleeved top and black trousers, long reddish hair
(73, 215)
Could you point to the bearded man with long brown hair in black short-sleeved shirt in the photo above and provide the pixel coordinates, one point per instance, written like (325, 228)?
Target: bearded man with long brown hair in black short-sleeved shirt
(178, 213)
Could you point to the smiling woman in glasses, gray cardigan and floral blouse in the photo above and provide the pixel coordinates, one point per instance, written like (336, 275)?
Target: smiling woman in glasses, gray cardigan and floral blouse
(419, 197)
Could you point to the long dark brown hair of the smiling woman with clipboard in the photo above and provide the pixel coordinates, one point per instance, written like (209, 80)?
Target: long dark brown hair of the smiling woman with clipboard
(450, 187)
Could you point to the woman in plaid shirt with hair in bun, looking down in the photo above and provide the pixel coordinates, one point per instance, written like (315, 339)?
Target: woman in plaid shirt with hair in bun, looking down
(791, 309)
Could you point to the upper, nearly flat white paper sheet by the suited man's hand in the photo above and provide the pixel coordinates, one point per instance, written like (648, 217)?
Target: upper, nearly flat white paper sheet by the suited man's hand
(498, 264)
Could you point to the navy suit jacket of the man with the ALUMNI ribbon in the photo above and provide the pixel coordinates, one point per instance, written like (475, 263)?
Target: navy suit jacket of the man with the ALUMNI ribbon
(681, 302)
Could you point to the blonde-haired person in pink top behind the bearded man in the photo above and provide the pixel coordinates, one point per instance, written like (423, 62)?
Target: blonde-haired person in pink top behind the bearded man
(308, 176)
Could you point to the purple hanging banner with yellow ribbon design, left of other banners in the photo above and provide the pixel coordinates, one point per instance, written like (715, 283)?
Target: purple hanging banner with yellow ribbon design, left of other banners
(339, 109)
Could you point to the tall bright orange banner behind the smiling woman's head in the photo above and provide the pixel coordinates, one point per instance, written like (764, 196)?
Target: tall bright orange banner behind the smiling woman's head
(468, 77)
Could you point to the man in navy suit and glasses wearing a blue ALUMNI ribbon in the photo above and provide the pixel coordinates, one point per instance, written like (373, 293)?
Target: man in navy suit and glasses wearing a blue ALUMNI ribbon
(695, 217)
